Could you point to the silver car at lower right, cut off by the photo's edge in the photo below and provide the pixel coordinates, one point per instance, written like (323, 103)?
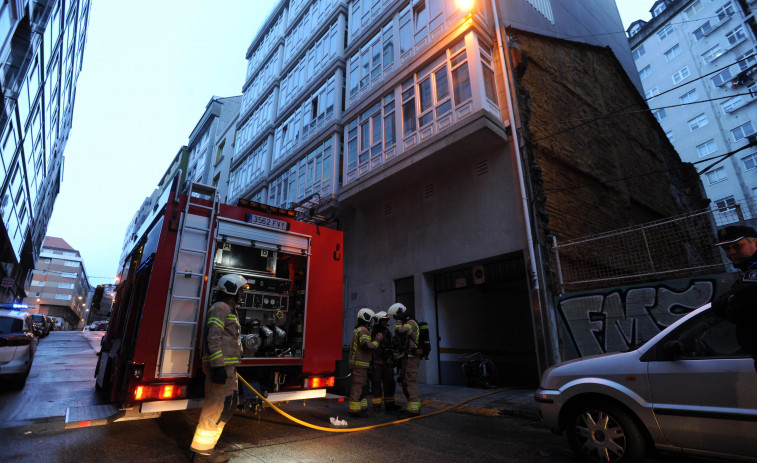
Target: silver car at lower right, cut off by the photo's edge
(691, 389)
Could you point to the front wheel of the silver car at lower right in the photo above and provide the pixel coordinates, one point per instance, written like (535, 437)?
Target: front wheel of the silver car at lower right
(602, 432)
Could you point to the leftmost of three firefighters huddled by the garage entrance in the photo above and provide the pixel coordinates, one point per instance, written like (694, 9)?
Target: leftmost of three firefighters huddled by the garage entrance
(361, 350)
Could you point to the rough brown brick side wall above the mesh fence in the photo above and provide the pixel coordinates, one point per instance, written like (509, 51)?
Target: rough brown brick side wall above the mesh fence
(598, 159)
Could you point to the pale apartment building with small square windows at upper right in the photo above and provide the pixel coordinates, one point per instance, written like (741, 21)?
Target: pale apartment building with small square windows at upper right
(697, 63)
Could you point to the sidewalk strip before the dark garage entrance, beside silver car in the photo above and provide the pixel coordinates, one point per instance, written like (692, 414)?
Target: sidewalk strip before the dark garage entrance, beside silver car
(512, 402)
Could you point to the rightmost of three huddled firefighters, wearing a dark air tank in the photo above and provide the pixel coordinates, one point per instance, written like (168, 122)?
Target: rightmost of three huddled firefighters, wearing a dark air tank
(407, 331)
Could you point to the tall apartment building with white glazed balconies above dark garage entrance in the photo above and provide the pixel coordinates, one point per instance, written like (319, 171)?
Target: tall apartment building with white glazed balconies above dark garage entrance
(392, 120)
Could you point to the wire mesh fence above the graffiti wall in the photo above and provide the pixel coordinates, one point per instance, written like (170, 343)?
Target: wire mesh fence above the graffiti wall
(675, 247)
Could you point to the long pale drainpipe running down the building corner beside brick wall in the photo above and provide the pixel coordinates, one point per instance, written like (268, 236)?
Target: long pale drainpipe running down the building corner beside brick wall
(544, 355)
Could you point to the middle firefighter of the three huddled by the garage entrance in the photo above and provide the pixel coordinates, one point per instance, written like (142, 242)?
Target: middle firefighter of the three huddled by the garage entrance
(382, 368)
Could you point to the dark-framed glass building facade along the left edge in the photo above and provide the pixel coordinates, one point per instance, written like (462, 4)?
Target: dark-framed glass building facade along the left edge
(41, 50)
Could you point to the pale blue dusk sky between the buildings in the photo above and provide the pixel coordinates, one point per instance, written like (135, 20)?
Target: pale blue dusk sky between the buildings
(149, 70)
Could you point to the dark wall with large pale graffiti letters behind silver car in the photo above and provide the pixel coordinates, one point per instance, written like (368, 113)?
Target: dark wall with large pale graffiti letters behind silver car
(618, 319)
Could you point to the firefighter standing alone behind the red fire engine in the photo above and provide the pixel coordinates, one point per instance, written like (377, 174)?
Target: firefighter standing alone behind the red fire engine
(222, 351)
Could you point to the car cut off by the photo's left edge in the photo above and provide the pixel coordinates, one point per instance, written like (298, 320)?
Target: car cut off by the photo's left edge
(17, 346)
